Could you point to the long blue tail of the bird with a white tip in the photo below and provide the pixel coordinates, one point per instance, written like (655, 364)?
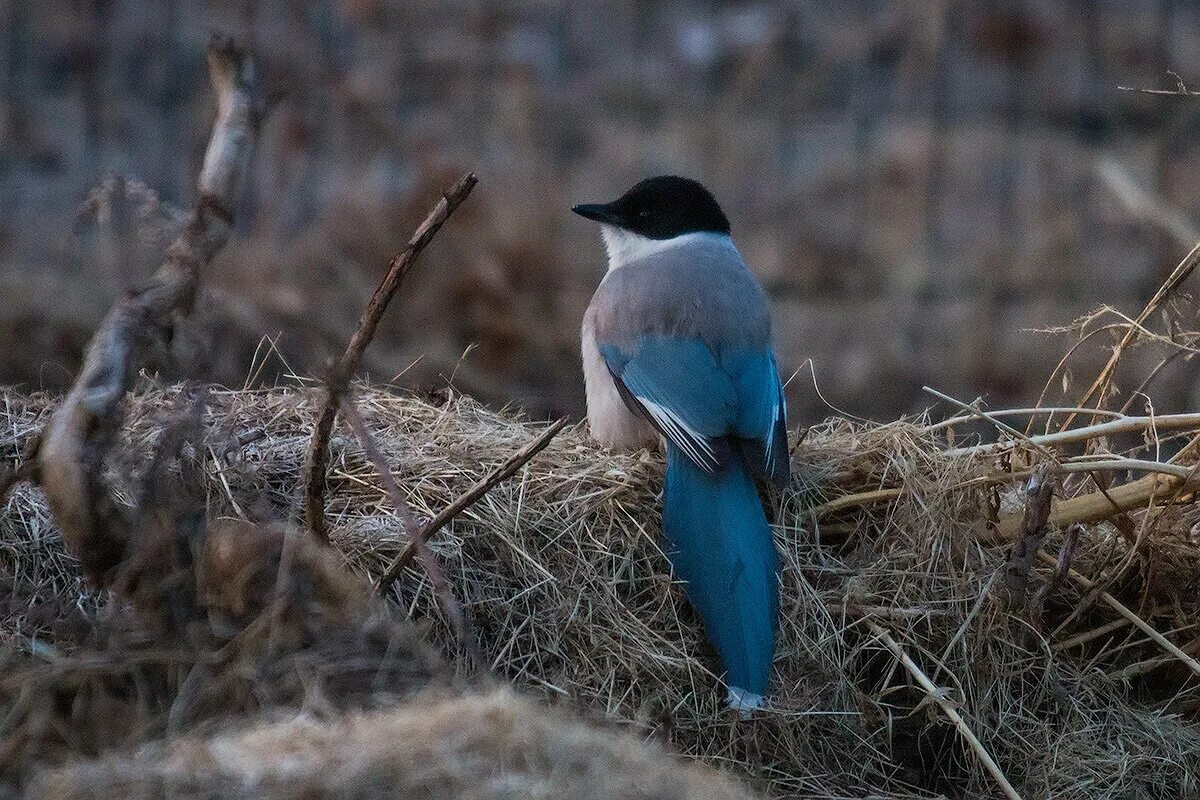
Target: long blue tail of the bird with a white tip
(722, 546)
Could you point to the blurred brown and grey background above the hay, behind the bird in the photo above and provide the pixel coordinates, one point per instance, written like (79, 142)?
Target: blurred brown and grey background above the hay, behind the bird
(917, 184)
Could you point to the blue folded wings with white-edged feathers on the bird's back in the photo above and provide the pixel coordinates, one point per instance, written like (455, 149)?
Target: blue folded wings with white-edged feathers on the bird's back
(706, 402)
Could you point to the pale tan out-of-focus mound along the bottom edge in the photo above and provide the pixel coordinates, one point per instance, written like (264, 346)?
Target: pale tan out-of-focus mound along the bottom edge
(493, 747)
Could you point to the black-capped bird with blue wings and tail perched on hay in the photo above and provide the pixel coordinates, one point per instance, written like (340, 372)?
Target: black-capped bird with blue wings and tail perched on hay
(677, 344)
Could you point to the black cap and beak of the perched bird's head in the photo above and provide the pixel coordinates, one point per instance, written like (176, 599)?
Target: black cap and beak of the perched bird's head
(662, 208)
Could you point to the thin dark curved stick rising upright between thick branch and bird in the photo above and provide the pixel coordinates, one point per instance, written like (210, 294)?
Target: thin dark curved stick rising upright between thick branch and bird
(317, 465)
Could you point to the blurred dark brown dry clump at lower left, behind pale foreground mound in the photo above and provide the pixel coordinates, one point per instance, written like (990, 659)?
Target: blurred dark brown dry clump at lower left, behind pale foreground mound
(281, 625)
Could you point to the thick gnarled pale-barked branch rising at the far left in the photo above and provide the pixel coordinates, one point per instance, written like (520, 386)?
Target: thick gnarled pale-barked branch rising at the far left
(81, 432)
